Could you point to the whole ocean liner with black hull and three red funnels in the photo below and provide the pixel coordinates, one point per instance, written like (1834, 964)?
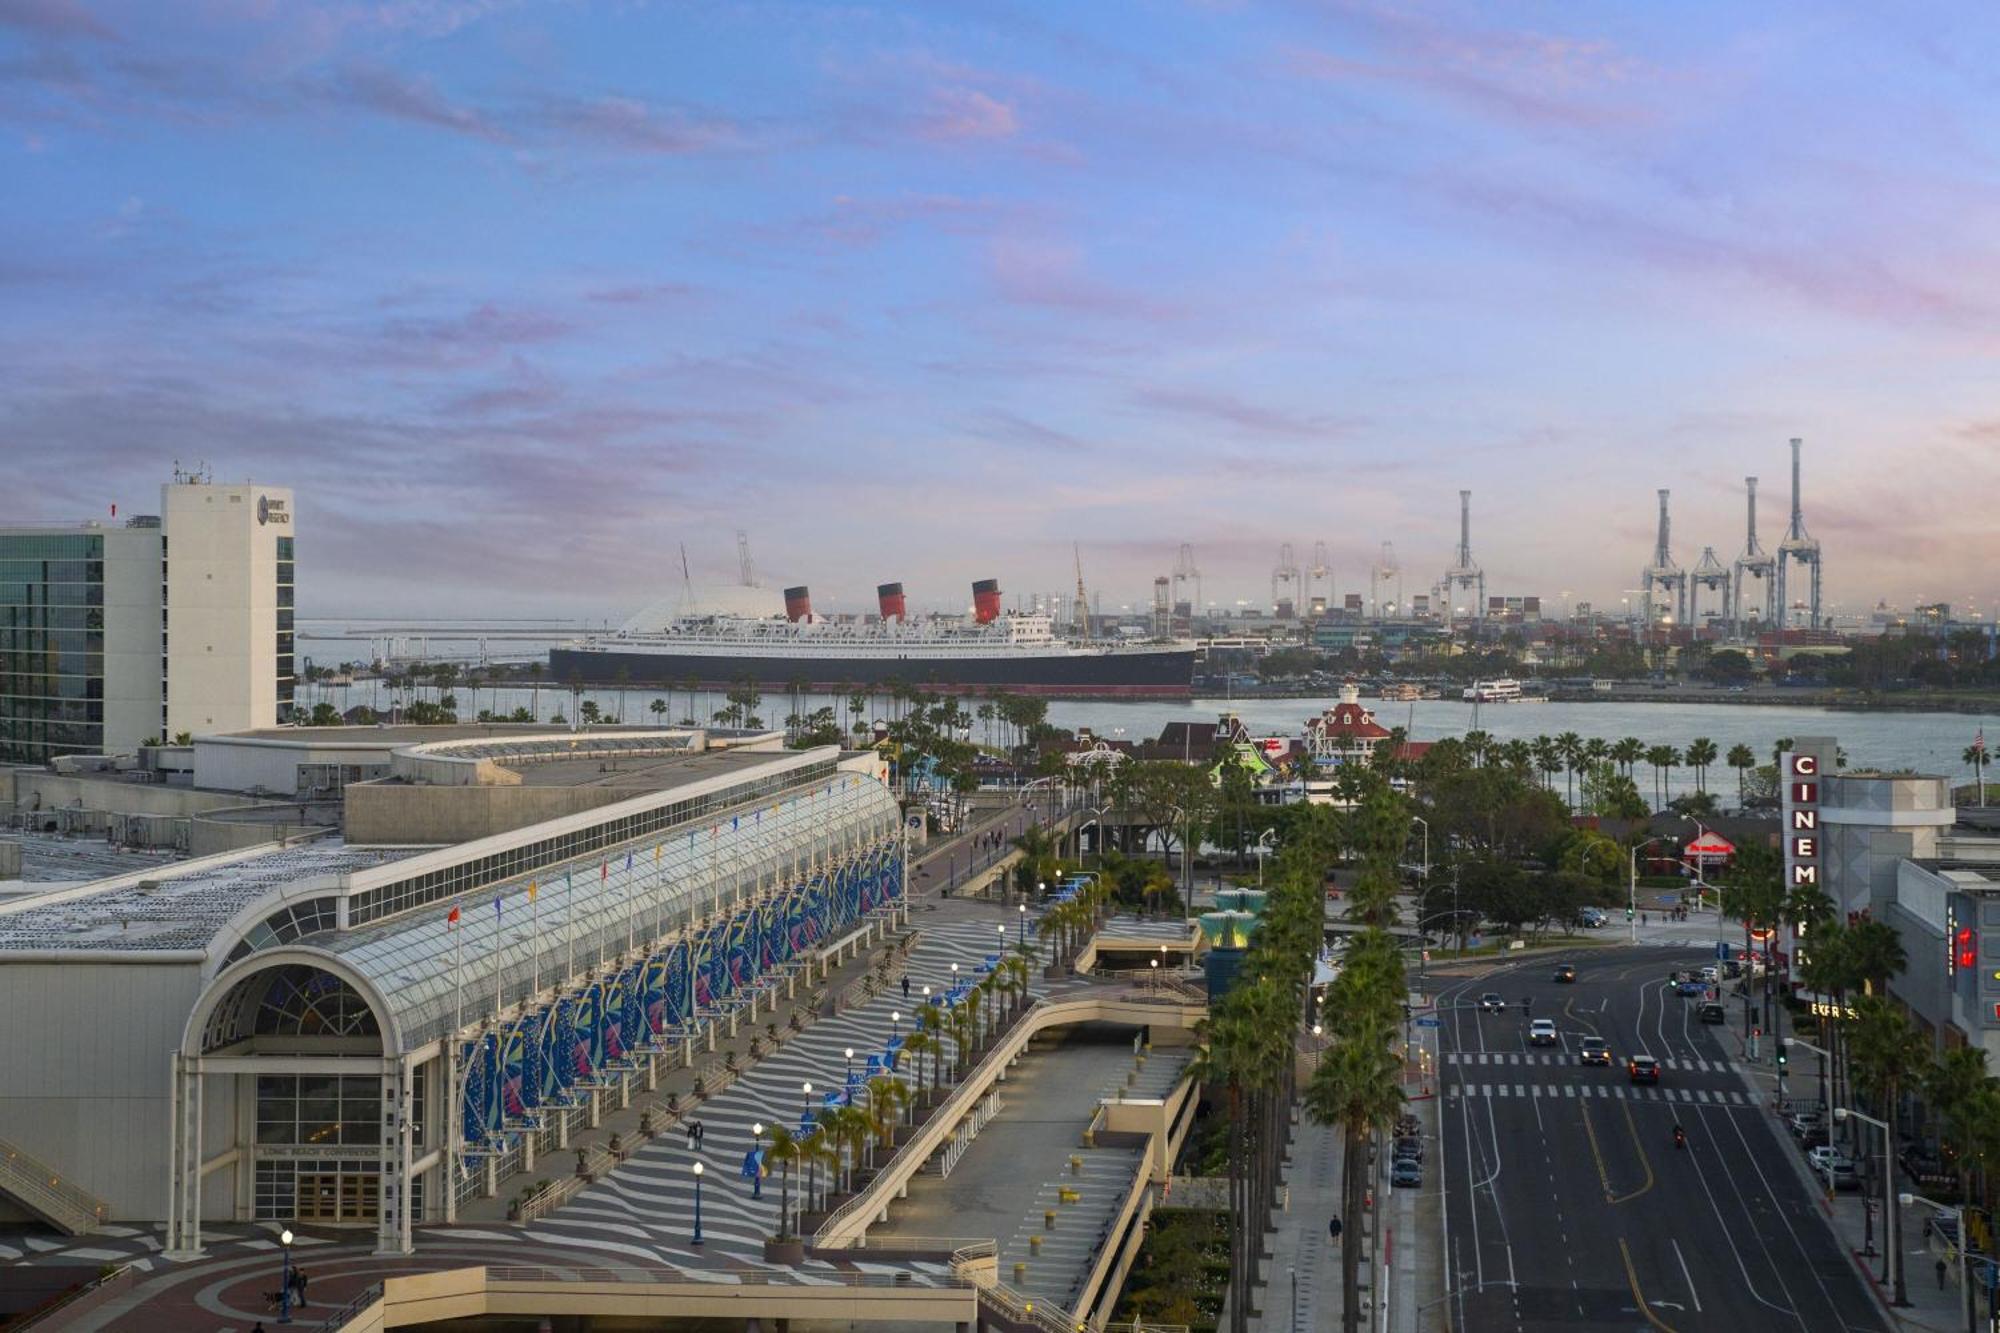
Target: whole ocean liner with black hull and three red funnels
(989, 651)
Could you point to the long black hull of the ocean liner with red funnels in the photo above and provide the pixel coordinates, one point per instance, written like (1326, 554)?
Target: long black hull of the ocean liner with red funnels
(1087, 676)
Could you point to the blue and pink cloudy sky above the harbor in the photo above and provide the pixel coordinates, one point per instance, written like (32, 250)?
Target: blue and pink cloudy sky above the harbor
(523, 299)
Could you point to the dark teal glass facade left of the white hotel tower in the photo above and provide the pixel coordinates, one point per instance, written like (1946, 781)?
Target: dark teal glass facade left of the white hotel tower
(51, 645)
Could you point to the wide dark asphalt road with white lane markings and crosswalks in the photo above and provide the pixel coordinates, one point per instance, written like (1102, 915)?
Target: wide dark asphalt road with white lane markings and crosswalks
(1567, 1202)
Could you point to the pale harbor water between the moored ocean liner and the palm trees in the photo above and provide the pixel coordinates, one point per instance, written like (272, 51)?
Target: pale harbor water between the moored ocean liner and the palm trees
(1921, 742)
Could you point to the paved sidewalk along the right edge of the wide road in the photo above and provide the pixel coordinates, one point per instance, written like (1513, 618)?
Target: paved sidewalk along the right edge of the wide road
(1931, 1308)
